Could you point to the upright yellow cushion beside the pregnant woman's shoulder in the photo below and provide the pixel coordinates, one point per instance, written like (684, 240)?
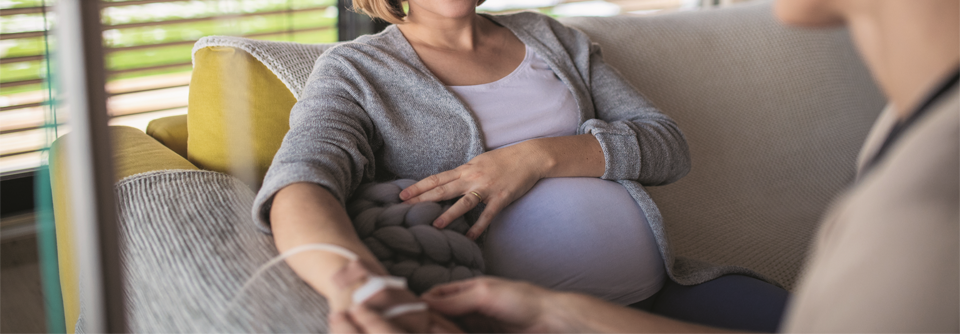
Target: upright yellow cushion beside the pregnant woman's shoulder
(238, 113)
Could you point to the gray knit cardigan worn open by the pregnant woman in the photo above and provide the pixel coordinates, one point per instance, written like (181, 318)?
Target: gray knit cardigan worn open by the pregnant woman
(371, 111)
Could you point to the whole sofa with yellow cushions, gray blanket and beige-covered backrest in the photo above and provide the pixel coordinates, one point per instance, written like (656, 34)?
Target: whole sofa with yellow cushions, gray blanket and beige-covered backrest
(774, 117)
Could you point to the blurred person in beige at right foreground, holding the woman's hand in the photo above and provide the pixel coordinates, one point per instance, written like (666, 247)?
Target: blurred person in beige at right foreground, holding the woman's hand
(886, 258)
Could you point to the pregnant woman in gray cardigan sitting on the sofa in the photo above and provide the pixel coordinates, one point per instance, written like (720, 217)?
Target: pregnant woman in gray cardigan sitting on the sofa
(517, 112)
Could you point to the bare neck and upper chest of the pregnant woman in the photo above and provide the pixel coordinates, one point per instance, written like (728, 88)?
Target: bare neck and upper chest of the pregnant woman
(461, 32)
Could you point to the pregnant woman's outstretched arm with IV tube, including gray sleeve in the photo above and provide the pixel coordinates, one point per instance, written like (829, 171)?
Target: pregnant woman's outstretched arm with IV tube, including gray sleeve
(323, 157)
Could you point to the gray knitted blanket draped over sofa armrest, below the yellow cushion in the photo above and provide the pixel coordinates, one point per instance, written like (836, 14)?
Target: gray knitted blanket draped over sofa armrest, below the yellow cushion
(189, 245)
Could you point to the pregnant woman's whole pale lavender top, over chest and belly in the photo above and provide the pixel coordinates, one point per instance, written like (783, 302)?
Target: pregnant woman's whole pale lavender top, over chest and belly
(580, 234)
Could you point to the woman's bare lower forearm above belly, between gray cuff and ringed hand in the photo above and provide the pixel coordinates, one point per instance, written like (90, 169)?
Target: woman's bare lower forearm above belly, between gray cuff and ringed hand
(570, 156)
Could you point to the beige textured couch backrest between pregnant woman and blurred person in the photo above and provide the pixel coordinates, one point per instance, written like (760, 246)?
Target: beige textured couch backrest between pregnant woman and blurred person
(774, 117)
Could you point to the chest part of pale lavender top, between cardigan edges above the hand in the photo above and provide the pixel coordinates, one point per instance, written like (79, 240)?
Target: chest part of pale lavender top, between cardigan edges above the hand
(531, 102)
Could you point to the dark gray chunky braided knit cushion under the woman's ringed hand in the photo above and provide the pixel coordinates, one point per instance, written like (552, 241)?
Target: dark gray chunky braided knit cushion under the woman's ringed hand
(402, 238)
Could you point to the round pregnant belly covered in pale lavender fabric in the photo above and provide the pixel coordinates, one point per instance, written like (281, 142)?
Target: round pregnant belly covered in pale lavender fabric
(577, 234)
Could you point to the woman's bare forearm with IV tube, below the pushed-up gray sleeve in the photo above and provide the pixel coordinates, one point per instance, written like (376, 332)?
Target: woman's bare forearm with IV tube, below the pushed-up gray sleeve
(305, 213)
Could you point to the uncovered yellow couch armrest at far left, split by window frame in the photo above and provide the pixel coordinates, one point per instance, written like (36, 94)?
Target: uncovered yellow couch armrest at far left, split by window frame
(134, 152)
